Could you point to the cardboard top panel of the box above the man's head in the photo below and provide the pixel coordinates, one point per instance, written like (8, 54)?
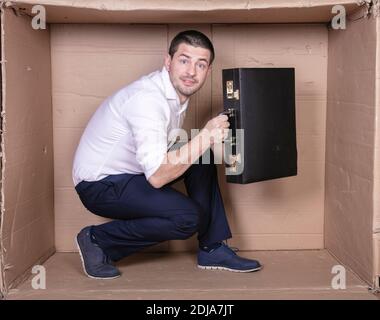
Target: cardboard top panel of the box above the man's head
(194, 11)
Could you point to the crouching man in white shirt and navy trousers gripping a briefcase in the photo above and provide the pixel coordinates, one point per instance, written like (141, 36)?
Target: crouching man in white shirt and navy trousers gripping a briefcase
(124, 171)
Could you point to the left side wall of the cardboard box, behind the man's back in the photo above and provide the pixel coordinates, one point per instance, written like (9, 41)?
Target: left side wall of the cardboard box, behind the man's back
(28, 224)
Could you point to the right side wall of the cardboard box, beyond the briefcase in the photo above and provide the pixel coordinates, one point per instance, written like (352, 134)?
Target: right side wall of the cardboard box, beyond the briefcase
(350, 145)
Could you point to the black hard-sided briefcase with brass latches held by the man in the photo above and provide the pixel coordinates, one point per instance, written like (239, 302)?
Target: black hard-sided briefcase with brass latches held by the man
(260, 103)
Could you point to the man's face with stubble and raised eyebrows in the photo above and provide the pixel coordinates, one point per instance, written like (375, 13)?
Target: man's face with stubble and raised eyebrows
(188, 69)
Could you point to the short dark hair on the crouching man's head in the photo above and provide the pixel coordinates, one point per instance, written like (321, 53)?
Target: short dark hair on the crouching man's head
(193, 38)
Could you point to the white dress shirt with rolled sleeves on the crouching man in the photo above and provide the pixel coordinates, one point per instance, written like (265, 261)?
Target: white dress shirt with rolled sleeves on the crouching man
(131, 130)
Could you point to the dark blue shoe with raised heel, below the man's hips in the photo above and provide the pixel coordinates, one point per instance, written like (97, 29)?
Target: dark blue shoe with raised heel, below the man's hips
(95, 263)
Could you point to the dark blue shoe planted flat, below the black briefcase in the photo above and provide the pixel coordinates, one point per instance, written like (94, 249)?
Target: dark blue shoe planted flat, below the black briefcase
(224, 258)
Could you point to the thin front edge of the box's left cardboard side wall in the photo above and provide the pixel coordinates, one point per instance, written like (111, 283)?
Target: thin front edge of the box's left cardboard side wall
(2, 266)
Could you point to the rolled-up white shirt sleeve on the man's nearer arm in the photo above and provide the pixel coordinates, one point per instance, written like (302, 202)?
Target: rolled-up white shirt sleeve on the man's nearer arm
(148, 118)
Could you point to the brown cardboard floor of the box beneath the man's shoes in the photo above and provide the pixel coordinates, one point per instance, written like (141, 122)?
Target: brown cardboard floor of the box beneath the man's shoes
(286, 275)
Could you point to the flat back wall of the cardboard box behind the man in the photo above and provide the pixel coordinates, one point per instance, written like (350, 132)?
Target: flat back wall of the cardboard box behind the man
(90, 62)
